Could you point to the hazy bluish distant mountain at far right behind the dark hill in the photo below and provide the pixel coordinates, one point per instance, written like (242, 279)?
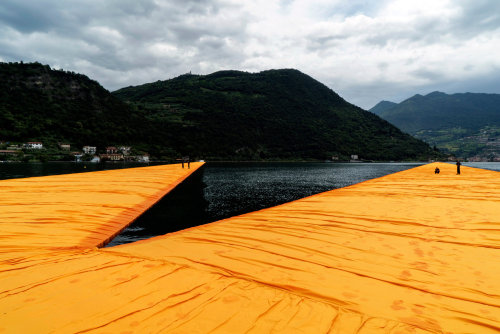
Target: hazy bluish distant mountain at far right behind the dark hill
(466, 125)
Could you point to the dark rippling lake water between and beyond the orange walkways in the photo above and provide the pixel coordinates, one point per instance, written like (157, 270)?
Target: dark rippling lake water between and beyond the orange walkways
(222, 190)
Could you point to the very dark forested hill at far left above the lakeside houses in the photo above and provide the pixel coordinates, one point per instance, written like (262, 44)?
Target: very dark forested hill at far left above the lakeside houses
(41, 104)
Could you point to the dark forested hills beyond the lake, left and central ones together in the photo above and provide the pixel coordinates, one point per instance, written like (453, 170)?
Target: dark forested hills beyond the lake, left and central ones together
(229, 115)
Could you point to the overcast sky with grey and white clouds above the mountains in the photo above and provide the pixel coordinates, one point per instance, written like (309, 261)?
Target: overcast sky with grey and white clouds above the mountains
(364, 50)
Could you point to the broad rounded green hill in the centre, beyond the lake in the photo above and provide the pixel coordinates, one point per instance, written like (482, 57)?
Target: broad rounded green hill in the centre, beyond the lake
(272, 114)
